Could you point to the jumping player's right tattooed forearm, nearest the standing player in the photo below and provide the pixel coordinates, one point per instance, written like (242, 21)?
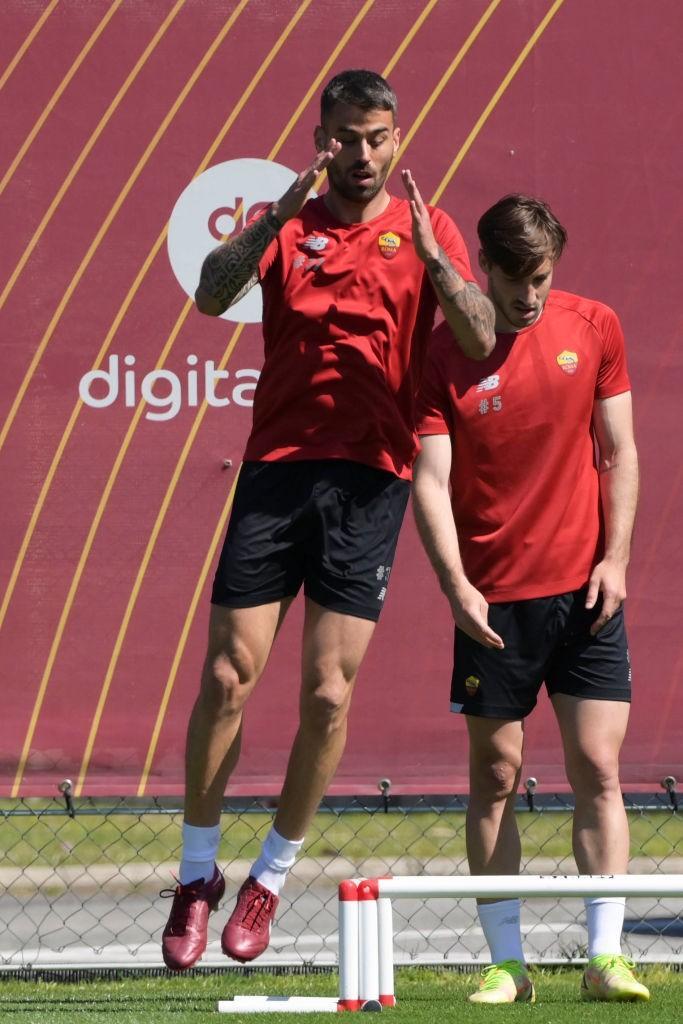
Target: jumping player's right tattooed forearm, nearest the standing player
(467, 310)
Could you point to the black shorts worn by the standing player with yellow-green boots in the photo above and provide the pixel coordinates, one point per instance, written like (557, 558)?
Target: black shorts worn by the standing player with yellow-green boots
(546, 639)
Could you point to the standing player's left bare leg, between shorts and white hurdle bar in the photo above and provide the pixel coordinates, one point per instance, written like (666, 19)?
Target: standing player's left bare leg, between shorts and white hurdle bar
(496, 757)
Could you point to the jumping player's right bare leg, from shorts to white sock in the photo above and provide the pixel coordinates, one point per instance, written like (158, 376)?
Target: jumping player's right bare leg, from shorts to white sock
(334, 647)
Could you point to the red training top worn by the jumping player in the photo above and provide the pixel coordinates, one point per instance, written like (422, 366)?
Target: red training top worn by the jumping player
(348, 315)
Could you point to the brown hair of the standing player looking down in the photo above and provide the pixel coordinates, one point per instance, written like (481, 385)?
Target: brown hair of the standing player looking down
(519, 233)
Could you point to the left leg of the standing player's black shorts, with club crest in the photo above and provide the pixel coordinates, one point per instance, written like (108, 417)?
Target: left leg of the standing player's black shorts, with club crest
(503, 685)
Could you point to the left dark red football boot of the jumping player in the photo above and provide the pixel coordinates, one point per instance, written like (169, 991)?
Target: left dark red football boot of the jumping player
(185, 937)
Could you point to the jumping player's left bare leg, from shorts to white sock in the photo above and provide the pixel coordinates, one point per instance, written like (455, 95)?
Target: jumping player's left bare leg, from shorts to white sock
(240, 642)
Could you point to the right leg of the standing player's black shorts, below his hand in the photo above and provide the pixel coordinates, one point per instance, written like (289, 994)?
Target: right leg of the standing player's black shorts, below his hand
(595, 668)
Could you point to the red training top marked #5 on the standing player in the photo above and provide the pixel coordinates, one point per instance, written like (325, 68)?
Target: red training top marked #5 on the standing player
(524, 479)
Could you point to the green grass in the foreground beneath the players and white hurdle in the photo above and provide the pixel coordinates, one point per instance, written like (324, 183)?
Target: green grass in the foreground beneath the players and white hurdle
(425, 998)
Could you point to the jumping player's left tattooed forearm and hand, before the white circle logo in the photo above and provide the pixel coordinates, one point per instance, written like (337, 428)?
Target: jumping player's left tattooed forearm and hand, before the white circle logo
(232, 270)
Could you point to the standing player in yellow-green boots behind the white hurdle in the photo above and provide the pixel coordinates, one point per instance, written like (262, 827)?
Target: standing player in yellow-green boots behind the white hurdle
(530, 539)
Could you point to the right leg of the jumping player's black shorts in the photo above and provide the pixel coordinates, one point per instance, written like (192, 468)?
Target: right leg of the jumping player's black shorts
(359, 511)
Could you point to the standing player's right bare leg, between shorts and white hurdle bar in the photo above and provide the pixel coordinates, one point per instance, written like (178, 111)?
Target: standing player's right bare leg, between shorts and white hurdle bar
(592, 735)
